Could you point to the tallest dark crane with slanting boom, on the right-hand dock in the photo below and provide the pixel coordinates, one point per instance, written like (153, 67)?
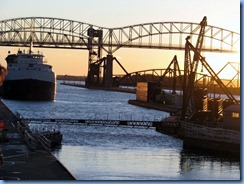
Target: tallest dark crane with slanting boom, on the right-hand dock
(190, 69)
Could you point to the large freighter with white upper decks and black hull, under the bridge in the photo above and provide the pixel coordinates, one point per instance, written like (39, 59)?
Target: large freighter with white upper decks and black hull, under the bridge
(28, 78)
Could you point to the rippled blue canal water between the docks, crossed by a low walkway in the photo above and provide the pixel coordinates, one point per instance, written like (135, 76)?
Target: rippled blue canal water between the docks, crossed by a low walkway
(120, 153)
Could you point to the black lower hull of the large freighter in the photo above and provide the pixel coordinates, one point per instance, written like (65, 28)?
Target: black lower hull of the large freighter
(28, 89)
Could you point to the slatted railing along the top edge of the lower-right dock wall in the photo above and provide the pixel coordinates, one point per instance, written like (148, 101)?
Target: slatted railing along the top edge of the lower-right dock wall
(195, 131)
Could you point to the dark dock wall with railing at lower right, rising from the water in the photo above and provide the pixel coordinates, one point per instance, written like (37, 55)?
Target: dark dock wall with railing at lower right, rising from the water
(218, 140)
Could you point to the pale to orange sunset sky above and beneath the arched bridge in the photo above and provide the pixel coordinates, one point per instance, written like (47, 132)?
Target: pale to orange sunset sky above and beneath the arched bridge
(112, 13)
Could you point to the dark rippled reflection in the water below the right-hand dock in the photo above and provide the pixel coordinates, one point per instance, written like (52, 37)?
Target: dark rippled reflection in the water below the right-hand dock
(202, 165)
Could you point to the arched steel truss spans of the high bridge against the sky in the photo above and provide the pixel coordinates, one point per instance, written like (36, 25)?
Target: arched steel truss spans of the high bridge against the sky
(61, 33)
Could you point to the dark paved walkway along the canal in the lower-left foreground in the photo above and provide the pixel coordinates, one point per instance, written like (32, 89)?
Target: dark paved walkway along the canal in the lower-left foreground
(22, 163)
